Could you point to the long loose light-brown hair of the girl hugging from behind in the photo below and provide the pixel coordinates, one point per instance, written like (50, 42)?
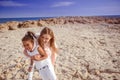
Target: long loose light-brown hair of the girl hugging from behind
(48, 31)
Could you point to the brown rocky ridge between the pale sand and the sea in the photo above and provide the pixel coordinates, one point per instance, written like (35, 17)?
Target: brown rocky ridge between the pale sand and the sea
(13, 25)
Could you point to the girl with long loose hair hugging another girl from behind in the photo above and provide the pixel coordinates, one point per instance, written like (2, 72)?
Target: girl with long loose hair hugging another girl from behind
(47, 41)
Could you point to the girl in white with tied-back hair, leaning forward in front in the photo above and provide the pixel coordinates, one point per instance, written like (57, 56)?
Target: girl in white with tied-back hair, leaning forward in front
(38, 57)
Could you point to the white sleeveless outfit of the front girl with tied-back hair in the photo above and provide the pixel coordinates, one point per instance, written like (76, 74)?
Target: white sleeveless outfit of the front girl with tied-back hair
(44, 67)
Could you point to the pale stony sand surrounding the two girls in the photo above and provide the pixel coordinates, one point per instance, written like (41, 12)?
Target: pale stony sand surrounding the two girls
(87, 51)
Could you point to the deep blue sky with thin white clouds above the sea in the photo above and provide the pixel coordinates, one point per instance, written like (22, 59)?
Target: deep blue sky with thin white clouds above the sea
(50, 8)
